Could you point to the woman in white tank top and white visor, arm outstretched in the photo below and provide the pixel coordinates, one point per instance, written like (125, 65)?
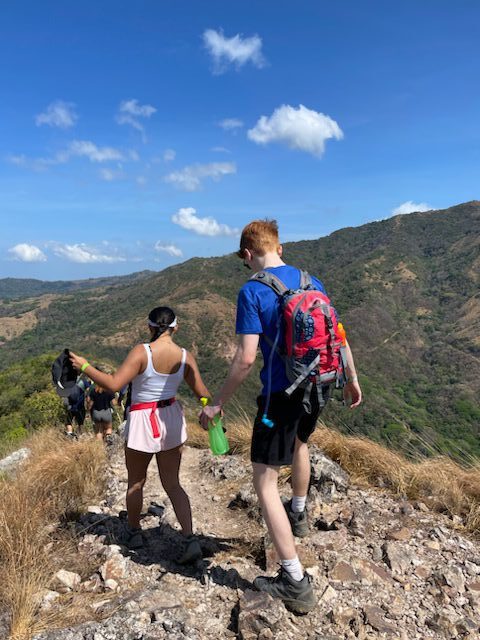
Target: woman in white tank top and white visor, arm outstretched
(156, 422)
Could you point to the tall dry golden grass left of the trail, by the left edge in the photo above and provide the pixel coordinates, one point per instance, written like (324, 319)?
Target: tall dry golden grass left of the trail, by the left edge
(59, 478)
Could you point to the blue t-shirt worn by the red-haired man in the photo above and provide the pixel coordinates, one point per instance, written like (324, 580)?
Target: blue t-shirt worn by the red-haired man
(258, 310)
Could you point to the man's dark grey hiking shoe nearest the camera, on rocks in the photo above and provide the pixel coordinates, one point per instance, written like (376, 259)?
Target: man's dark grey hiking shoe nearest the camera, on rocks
(297, 595)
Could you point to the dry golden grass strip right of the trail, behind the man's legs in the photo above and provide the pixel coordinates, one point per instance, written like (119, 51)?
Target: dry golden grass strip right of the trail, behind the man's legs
(442, 484)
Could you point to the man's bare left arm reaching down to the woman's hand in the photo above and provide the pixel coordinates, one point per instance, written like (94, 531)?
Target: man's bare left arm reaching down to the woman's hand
(240, 368)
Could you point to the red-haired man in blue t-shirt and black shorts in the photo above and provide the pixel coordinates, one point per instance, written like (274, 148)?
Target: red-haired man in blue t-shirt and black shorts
(284, 422)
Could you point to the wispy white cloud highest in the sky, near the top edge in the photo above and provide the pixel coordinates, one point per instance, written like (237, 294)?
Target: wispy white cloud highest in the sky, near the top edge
(236, 50)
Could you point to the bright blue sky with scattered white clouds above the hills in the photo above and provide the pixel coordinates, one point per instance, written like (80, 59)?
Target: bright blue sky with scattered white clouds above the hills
(135, 135)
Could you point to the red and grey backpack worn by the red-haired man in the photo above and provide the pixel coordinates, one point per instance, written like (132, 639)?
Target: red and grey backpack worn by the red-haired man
(314, 347)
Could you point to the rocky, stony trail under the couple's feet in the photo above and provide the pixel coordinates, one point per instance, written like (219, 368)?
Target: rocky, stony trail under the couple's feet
(382, 567)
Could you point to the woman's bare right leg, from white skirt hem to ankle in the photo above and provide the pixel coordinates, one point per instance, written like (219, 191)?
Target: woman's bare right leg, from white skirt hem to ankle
(168, 463)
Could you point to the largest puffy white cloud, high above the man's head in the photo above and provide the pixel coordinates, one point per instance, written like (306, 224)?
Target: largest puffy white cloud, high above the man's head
(301, 128)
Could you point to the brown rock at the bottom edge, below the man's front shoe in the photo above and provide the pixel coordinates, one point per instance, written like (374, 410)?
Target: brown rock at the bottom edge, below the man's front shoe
(258, 612)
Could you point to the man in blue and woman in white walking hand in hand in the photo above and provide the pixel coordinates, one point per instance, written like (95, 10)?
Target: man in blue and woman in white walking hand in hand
(288, 406)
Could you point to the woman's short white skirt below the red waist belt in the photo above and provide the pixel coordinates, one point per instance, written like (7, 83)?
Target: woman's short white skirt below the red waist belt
(171, 432)
